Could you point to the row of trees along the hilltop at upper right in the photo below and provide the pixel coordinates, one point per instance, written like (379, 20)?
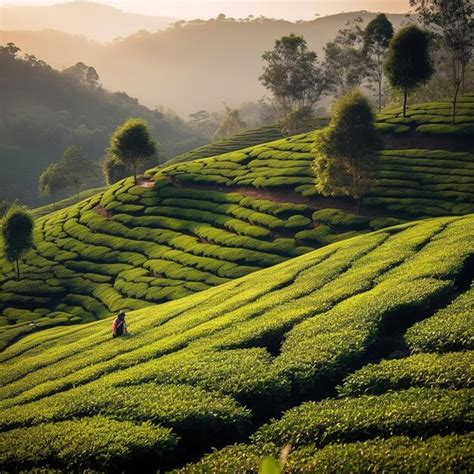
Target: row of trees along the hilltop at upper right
(439, 44)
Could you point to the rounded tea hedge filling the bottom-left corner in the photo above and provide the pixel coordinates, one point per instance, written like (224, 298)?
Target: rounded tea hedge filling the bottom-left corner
(97, 443)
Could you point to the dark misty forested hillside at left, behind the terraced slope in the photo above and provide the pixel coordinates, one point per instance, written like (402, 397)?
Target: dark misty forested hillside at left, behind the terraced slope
(43, 111)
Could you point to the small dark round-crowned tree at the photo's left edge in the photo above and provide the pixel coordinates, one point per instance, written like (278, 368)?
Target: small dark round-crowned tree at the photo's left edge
(17, 232)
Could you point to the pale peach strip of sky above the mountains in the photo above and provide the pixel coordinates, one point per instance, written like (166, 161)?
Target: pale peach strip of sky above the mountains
(291, 10)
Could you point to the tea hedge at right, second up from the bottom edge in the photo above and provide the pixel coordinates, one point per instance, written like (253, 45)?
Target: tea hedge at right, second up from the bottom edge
(414, 412)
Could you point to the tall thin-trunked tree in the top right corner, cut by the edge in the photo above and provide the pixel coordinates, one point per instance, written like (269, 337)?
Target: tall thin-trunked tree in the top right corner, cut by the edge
(452, 22)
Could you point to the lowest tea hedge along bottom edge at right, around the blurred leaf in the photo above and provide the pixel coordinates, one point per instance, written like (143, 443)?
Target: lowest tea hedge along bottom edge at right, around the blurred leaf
(399, 453)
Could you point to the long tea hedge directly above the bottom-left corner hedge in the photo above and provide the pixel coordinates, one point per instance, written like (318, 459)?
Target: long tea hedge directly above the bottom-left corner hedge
(187, 409)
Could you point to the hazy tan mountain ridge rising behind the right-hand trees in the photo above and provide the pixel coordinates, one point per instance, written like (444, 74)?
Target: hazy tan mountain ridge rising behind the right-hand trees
(223, 63)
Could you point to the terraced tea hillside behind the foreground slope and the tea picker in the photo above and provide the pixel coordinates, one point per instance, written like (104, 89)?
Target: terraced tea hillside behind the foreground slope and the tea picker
(191, 226)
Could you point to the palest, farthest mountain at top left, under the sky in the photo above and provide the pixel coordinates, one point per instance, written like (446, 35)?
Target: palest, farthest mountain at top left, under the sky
(90, 19)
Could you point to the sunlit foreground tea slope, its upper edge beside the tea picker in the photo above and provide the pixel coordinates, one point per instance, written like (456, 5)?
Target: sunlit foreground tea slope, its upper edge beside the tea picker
(379, 325)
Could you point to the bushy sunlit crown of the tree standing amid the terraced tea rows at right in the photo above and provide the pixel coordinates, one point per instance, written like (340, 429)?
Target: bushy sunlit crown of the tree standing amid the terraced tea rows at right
(347, 150)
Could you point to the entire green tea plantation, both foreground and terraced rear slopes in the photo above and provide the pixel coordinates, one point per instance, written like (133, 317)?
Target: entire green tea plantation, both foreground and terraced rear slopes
(261, 315)
